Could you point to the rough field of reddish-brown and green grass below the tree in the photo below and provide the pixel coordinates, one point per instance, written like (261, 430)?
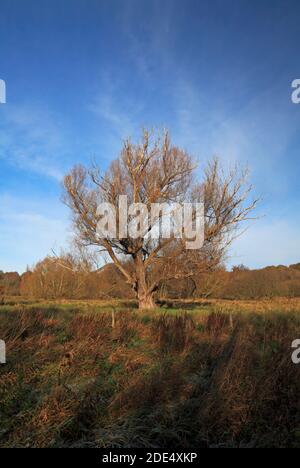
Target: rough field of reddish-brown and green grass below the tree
(190, 374)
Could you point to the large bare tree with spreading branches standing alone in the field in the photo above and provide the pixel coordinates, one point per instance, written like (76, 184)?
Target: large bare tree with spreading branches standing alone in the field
(155, 171)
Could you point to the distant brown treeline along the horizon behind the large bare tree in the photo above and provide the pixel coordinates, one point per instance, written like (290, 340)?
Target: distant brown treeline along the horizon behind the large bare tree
(60, 279)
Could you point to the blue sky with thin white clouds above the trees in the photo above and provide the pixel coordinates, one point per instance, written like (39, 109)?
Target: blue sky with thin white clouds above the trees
(83, 74)
